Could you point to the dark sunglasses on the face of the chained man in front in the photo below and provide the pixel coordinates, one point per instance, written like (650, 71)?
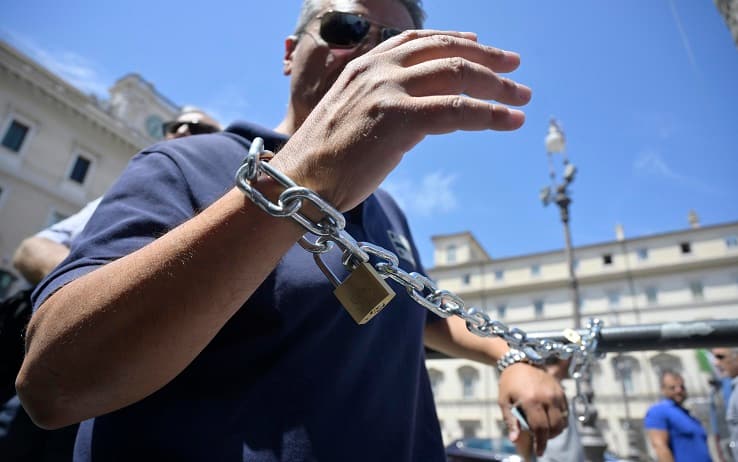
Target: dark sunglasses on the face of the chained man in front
(347, 30)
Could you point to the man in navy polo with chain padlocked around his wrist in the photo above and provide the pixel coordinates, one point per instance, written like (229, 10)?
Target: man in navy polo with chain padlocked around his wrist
(187, 324)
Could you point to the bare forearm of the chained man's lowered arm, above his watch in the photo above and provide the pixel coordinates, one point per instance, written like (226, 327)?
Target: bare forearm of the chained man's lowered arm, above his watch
(450, 336)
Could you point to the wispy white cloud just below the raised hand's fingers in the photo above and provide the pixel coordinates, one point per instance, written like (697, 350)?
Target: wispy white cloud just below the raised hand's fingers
(432, 195)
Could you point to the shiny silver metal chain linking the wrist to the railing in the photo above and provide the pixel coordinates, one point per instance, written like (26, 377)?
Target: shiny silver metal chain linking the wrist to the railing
(330, 231)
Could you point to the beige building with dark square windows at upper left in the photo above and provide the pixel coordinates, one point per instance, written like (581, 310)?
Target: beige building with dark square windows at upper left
(61, 148)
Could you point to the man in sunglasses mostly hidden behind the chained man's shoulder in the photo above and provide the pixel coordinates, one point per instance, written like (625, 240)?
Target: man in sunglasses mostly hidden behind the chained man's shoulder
(20, 439)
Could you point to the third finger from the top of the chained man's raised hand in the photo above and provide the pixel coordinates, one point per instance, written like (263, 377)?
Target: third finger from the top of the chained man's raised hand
(456, 75)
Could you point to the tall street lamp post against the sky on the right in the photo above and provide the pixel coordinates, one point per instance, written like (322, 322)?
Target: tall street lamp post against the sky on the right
(557, 193)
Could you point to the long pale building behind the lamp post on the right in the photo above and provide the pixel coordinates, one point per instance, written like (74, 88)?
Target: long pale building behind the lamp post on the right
(684, 275)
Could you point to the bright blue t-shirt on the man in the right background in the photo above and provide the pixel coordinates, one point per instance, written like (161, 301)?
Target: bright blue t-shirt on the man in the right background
(687, 437)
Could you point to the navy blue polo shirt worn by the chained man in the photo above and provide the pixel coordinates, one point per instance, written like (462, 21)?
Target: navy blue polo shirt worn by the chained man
(290, 376)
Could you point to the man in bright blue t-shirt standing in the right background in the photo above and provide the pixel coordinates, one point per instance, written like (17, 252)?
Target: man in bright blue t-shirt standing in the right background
(674, 434)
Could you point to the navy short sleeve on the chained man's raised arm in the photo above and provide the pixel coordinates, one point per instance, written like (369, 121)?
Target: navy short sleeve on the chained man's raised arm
(150, 198)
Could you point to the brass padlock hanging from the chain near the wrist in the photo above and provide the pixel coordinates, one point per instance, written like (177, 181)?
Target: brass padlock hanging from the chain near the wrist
(363, 293)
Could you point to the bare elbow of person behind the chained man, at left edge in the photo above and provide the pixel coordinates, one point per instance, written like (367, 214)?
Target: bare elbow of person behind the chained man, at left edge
(37, 256)
